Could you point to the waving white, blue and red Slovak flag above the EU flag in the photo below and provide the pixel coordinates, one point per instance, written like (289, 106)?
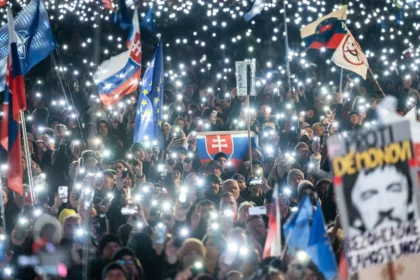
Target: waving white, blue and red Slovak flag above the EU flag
(120, 75)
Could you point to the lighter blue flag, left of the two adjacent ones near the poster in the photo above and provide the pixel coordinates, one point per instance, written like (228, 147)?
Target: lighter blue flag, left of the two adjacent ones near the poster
(297, 229)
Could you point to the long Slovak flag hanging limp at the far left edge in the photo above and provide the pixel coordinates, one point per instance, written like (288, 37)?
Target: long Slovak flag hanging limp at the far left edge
(14, 102)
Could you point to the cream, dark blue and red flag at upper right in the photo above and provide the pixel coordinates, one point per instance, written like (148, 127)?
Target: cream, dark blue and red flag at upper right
(326, 32)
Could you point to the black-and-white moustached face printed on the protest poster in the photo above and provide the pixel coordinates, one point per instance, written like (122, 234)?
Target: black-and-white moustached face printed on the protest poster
(381, 198)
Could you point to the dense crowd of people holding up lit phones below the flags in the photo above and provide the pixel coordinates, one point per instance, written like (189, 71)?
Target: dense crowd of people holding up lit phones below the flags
(107, 208)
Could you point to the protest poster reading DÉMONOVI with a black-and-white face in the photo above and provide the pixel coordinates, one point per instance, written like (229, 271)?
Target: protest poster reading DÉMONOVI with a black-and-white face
(377, 188)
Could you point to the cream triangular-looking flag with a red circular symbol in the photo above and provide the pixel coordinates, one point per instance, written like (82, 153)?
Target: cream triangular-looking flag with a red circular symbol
(350, 56)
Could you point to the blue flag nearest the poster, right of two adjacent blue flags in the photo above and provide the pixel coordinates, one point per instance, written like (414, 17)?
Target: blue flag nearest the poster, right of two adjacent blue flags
(319, 246)
